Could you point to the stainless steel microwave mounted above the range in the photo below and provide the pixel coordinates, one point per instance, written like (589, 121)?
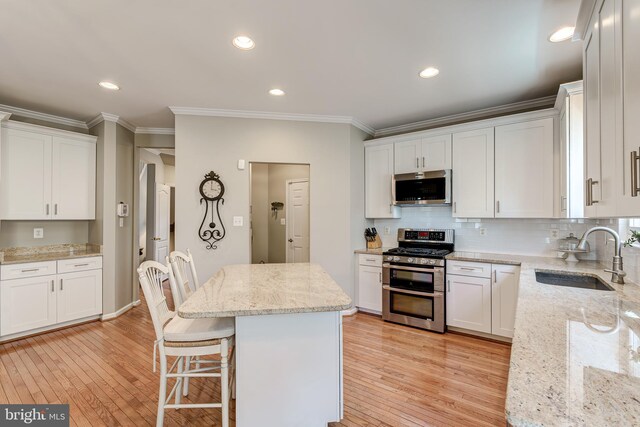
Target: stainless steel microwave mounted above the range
(422, 188)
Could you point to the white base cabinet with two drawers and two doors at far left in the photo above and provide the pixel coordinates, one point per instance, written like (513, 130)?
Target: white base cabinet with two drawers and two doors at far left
(33, 297)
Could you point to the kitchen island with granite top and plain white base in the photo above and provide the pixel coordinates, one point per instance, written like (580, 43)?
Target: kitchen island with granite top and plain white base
(288, 340)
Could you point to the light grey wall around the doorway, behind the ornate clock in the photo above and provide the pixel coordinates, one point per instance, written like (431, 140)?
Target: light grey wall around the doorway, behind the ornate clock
(216, 143)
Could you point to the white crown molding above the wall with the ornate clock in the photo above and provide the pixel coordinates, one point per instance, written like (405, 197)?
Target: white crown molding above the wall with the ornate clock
(243, 114)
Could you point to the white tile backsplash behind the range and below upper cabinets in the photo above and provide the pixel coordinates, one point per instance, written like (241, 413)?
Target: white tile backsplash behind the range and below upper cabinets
(516, 236)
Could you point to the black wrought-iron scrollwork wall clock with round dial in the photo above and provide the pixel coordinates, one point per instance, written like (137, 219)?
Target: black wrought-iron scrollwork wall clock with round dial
(211, 190)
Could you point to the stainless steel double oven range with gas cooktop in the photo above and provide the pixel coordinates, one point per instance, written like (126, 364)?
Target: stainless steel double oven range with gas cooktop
(413, 277)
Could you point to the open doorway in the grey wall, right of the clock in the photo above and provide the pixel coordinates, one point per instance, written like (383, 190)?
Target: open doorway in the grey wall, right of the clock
(279, 212)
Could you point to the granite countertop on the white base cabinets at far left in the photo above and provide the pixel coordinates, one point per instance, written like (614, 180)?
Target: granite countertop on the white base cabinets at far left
(20, 255)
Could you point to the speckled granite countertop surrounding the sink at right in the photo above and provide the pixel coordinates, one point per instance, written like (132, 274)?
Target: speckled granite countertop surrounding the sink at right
(575, 356)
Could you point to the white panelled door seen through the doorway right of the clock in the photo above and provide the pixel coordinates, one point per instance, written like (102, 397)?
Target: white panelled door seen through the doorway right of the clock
(297, 218)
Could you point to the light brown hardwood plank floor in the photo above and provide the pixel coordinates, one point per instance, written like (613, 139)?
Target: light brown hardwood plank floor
(393, 375)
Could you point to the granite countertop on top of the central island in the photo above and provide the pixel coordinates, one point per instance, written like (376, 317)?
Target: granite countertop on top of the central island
(258, 289)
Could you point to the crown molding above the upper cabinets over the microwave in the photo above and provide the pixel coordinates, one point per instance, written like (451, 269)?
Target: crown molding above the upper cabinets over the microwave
(547, 101)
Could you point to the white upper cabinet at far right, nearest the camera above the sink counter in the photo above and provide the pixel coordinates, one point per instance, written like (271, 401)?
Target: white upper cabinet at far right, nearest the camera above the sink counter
(610, 30)
